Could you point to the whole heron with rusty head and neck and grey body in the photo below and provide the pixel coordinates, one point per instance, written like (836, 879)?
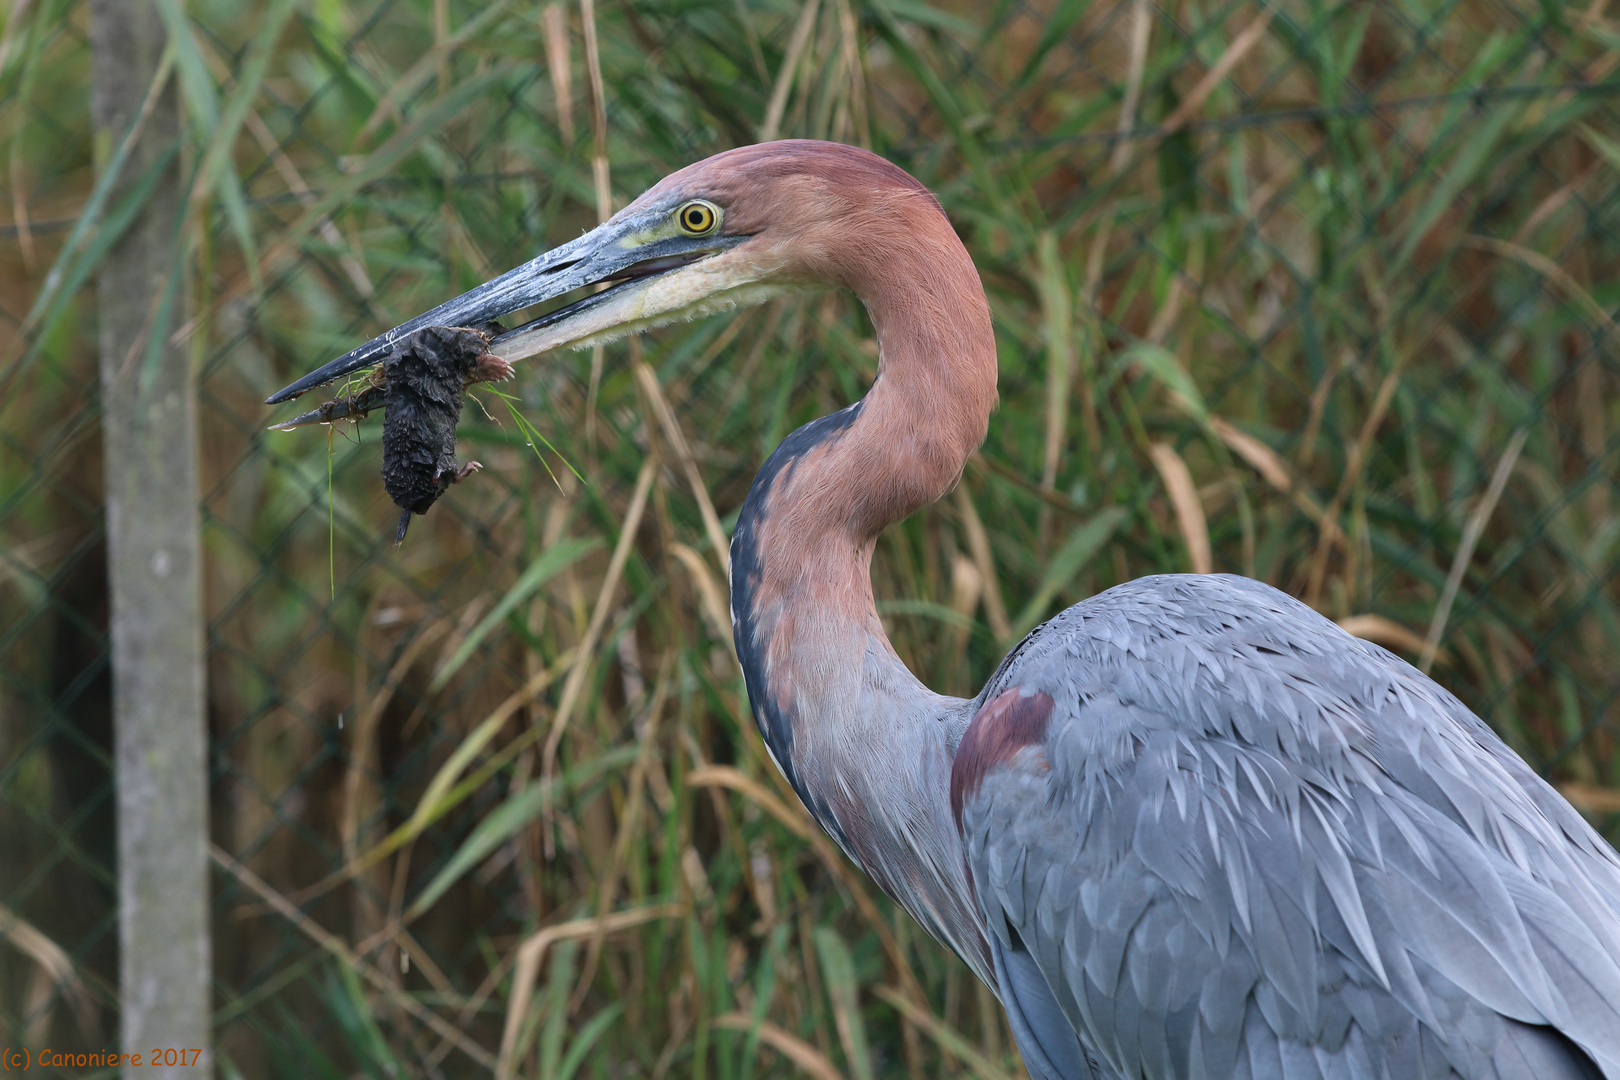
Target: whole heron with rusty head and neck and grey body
(1190, 827)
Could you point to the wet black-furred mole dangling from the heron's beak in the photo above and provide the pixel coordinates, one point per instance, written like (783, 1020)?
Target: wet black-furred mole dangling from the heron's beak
(425, 376)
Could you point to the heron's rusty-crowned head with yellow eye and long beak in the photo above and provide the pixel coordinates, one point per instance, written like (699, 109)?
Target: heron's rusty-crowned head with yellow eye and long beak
(727, 232)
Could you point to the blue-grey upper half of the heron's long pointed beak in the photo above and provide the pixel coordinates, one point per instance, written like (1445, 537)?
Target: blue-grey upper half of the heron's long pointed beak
(625, 250)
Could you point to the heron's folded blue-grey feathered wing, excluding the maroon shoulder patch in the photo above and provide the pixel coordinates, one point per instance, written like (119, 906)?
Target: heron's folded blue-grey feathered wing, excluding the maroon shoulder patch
(1251, 846)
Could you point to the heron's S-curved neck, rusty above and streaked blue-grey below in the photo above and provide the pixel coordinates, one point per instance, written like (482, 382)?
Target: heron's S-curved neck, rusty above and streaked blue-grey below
(866, 746)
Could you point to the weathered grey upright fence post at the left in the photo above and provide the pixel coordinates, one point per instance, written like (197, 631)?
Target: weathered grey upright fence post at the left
(155, 577)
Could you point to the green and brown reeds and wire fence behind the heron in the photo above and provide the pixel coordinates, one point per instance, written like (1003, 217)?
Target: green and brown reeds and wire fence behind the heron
(1316, 292)
